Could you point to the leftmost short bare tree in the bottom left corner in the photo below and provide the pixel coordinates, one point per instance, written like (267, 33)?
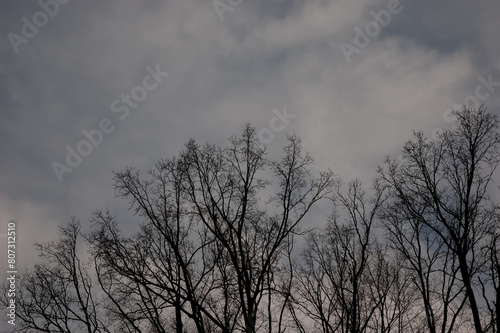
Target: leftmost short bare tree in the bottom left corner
(57, 295)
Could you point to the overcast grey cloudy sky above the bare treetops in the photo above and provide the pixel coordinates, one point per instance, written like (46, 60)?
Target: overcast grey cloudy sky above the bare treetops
(263, 55)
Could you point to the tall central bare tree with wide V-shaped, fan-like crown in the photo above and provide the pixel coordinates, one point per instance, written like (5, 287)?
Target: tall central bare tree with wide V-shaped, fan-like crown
(224, 186)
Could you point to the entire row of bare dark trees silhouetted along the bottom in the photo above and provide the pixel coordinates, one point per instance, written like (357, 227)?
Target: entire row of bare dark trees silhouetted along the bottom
(418, 253)
